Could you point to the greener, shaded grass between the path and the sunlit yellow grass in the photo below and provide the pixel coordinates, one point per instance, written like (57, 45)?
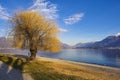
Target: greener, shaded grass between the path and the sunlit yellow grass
(39, 70)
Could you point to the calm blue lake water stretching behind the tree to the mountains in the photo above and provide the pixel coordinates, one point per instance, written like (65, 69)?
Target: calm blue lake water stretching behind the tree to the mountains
(104, 57)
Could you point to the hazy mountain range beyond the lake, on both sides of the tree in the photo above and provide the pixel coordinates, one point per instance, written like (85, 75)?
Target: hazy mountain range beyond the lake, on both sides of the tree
(112, 41)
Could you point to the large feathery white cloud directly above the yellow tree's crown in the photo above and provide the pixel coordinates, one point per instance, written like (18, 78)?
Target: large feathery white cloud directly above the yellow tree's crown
(46, 8)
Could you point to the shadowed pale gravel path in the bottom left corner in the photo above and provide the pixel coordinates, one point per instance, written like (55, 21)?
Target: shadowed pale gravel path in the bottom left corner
(9, 73)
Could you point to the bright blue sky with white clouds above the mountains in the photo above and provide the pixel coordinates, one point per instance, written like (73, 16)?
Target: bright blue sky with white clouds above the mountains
(79, 20)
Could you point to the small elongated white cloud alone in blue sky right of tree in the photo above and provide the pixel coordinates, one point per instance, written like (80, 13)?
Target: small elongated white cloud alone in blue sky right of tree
(74, 18)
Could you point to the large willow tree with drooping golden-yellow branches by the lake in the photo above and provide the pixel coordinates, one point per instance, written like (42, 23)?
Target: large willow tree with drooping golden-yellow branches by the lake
(32, 31)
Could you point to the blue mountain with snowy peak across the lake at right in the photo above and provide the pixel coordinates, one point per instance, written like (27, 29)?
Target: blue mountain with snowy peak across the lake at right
(110, 41)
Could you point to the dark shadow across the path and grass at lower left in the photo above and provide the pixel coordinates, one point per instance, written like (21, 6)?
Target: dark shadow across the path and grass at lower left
(9, 73)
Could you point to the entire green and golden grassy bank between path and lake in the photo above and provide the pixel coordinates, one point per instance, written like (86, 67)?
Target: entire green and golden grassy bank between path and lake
(45, 69)
